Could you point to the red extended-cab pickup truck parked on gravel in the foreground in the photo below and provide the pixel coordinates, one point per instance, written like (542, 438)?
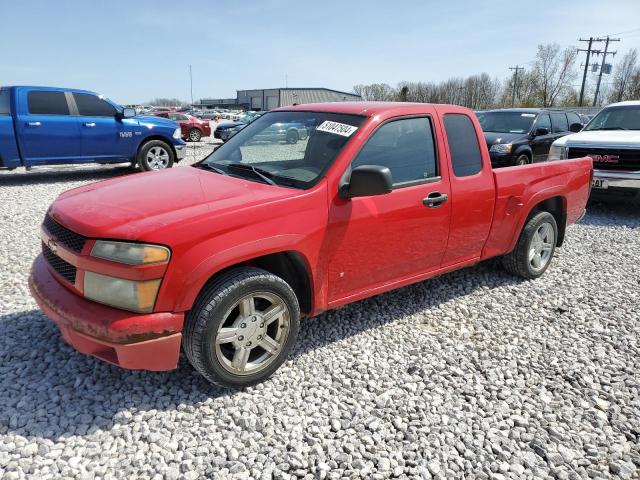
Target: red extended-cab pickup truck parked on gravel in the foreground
(222, 259)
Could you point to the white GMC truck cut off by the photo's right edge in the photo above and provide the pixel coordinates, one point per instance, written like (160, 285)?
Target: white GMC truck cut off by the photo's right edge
(612, 140)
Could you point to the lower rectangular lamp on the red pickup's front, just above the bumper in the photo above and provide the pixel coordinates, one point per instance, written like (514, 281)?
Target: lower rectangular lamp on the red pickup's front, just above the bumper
(121, 293)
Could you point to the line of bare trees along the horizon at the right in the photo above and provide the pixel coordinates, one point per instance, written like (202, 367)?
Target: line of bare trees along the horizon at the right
(552, 79)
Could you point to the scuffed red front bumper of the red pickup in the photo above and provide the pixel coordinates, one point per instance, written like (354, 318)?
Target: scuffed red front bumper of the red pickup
(126, 339)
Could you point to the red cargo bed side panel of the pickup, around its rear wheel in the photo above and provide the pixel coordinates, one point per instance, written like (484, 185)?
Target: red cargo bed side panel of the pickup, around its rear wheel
(519, 189)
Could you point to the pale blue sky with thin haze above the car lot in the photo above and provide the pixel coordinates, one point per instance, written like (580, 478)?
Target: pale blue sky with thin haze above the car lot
(135, 51)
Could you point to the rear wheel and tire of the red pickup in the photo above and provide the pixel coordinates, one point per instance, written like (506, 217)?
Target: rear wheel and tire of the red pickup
(522, 260)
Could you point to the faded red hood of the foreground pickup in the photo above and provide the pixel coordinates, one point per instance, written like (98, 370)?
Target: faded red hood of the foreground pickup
(128, 207)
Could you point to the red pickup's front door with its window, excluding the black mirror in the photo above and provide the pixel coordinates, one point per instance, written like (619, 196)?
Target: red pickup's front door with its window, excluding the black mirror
(378, 240)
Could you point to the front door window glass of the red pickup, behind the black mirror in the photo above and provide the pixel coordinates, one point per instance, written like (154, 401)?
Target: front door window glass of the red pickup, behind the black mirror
(405, 146)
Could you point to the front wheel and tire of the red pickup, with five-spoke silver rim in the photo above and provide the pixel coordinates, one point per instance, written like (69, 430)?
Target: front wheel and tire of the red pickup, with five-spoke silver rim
(220, 328)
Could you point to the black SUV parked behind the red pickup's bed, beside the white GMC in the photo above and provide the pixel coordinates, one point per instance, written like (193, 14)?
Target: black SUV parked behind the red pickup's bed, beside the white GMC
(517, 136)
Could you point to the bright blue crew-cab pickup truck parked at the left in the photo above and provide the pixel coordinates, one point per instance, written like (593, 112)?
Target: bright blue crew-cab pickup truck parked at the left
(54, 126)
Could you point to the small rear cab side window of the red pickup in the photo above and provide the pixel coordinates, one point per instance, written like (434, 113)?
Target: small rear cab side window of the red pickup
(466, 159)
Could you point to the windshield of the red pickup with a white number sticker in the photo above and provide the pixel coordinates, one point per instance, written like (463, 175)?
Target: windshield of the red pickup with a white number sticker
(291, 149)
